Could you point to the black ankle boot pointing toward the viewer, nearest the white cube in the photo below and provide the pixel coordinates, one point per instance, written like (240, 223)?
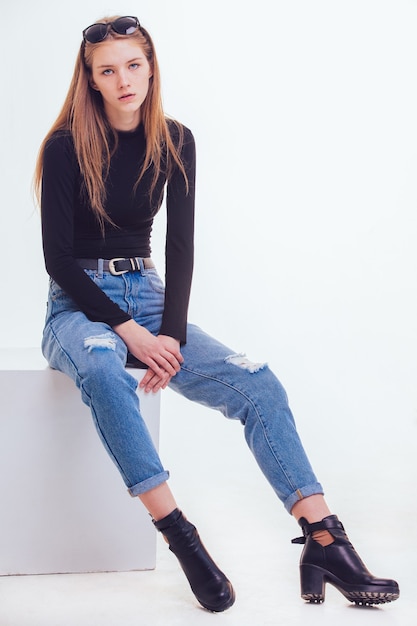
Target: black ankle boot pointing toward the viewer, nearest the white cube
(210, 586)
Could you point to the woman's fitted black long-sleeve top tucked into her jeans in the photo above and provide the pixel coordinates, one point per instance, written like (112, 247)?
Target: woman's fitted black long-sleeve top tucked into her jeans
(71, 231)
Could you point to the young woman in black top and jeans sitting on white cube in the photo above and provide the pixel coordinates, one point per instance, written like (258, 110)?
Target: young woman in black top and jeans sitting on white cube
(101, 176)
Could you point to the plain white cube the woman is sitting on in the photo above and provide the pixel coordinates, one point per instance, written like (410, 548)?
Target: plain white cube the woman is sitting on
(64, 507)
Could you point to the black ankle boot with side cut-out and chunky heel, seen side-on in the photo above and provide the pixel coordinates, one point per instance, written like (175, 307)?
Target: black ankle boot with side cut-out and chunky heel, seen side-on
(340, 565)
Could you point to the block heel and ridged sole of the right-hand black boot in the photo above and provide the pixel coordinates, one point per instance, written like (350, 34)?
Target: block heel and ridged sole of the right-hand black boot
(313, 583)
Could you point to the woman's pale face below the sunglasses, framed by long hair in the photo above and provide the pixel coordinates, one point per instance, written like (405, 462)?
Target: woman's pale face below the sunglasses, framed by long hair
(121, 73)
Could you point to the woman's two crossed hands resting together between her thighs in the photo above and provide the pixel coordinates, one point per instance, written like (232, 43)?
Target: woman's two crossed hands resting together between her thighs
(161, 354)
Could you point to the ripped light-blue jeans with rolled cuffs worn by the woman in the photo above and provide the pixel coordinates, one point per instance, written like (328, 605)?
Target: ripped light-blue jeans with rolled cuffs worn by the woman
(212, 374)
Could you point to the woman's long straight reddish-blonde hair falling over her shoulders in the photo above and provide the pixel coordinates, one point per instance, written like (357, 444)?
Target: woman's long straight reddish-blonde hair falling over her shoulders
(83, 116)
